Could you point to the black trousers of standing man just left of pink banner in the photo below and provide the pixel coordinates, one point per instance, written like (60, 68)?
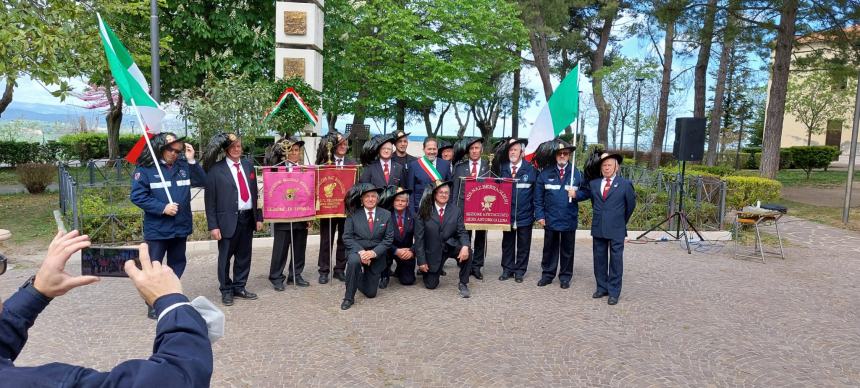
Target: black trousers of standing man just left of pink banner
(238, 248)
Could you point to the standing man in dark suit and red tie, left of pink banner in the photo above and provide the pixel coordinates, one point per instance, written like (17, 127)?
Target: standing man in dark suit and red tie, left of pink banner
(232, 216)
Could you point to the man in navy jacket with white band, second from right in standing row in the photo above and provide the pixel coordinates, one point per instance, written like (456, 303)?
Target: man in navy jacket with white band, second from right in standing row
(557, 210)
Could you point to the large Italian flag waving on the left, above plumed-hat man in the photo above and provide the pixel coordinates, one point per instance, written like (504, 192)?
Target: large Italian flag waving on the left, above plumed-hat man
(133, 87)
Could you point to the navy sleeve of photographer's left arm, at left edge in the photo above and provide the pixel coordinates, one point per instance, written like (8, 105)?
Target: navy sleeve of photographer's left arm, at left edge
(19, 314)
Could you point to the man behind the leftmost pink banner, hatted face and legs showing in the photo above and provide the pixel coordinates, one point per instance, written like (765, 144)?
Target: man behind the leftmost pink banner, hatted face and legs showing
(289, 234)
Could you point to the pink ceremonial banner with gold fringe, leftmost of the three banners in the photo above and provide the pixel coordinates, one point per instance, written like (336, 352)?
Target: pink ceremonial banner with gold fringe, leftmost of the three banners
(288, 196)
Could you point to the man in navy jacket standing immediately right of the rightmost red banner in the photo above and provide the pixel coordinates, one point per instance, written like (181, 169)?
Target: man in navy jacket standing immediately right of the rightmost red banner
(516, 244)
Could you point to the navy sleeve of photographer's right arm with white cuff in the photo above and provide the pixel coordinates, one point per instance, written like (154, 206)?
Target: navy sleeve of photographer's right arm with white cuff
(181, 357)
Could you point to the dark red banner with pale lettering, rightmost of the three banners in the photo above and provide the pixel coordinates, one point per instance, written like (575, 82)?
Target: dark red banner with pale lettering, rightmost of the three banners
(487, 204)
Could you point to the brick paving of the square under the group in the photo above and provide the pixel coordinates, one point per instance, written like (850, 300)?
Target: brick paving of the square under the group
(683, 320)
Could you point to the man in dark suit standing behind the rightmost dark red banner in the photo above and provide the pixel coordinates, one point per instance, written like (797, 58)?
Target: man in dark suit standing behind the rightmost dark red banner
(473, 167)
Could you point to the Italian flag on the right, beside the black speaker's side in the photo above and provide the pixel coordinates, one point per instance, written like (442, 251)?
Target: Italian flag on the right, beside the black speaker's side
(561, 109)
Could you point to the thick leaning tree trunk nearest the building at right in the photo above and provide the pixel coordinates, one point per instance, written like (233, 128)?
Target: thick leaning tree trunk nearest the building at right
(772, 136)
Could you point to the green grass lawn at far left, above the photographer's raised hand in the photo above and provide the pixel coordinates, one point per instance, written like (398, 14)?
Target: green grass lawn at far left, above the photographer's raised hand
(29, 217)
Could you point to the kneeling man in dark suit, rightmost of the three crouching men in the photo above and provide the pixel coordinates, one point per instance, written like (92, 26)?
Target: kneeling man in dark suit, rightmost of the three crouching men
(440, 235)
